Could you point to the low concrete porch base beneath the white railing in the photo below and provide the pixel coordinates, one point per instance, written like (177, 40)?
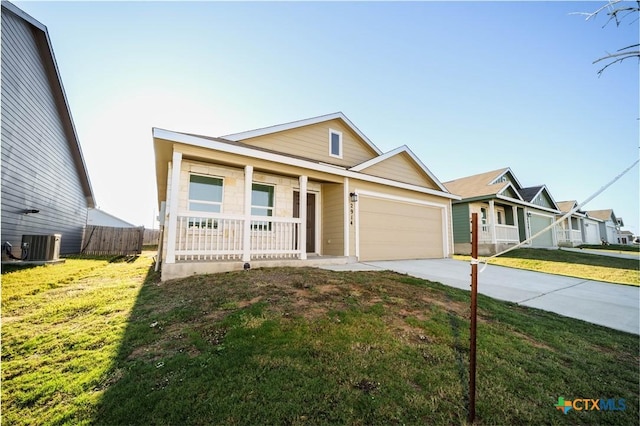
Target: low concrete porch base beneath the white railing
(186, 268)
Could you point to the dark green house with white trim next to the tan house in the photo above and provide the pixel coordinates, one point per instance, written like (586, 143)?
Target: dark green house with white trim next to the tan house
(508, 212)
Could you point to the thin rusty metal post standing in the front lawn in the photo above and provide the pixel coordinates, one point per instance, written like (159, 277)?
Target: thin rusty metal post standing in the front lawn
(474, 303)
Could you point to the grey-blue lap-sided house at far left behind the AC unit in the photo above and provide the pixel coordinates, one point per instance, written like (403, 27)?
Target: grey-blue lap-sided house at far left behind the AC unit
(45, 185)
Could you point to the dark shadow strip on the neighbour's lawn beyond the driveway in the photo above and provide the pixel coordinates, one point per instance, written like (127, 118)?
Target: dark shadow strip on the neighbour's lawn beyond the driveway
(563, 256)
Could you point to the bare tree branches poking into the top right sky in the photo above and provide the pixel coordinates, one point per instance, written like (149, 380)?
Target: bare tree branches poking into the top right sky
(617, 11)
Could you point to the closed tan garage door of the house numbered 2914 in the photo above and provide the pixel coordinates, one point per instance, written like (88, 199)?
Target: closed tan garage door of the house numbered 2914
(398, 230)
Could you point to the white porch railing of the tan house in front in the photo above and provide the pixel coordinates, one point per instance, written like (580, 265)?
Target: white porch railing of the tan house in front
(214, 236)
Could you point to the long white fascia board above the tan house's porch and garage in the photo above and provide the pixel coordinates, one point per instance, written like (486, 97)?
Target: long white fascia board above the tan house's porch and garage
(282, 159)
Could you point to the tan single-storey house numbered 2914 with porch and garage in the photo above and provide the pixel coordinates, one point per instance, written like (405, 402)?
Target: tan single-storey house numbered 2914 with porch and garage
(304, 190)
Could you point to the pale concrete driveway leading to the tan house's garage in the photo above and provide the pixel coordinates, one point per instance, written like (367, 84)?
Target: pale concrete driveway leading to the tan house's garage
(611, 305)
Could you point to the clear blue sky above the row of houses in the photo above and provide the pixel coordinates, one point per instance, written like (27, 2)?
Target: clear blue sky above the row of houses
(469, 87)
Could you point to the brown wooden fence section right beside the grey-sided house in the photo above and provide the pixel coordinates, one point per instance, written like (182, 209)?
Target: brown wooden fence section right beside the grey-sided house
(106, 240)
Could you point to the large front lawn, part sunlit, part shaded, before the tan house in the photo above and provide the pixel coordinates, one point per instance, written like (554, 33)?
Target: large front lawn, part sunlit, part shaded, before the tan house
(103, 343)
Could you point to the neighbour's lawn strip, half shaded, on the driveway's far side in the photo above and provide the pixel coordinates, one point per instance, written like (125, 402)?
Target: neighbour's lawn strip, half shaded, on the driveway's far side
(570, 263)
